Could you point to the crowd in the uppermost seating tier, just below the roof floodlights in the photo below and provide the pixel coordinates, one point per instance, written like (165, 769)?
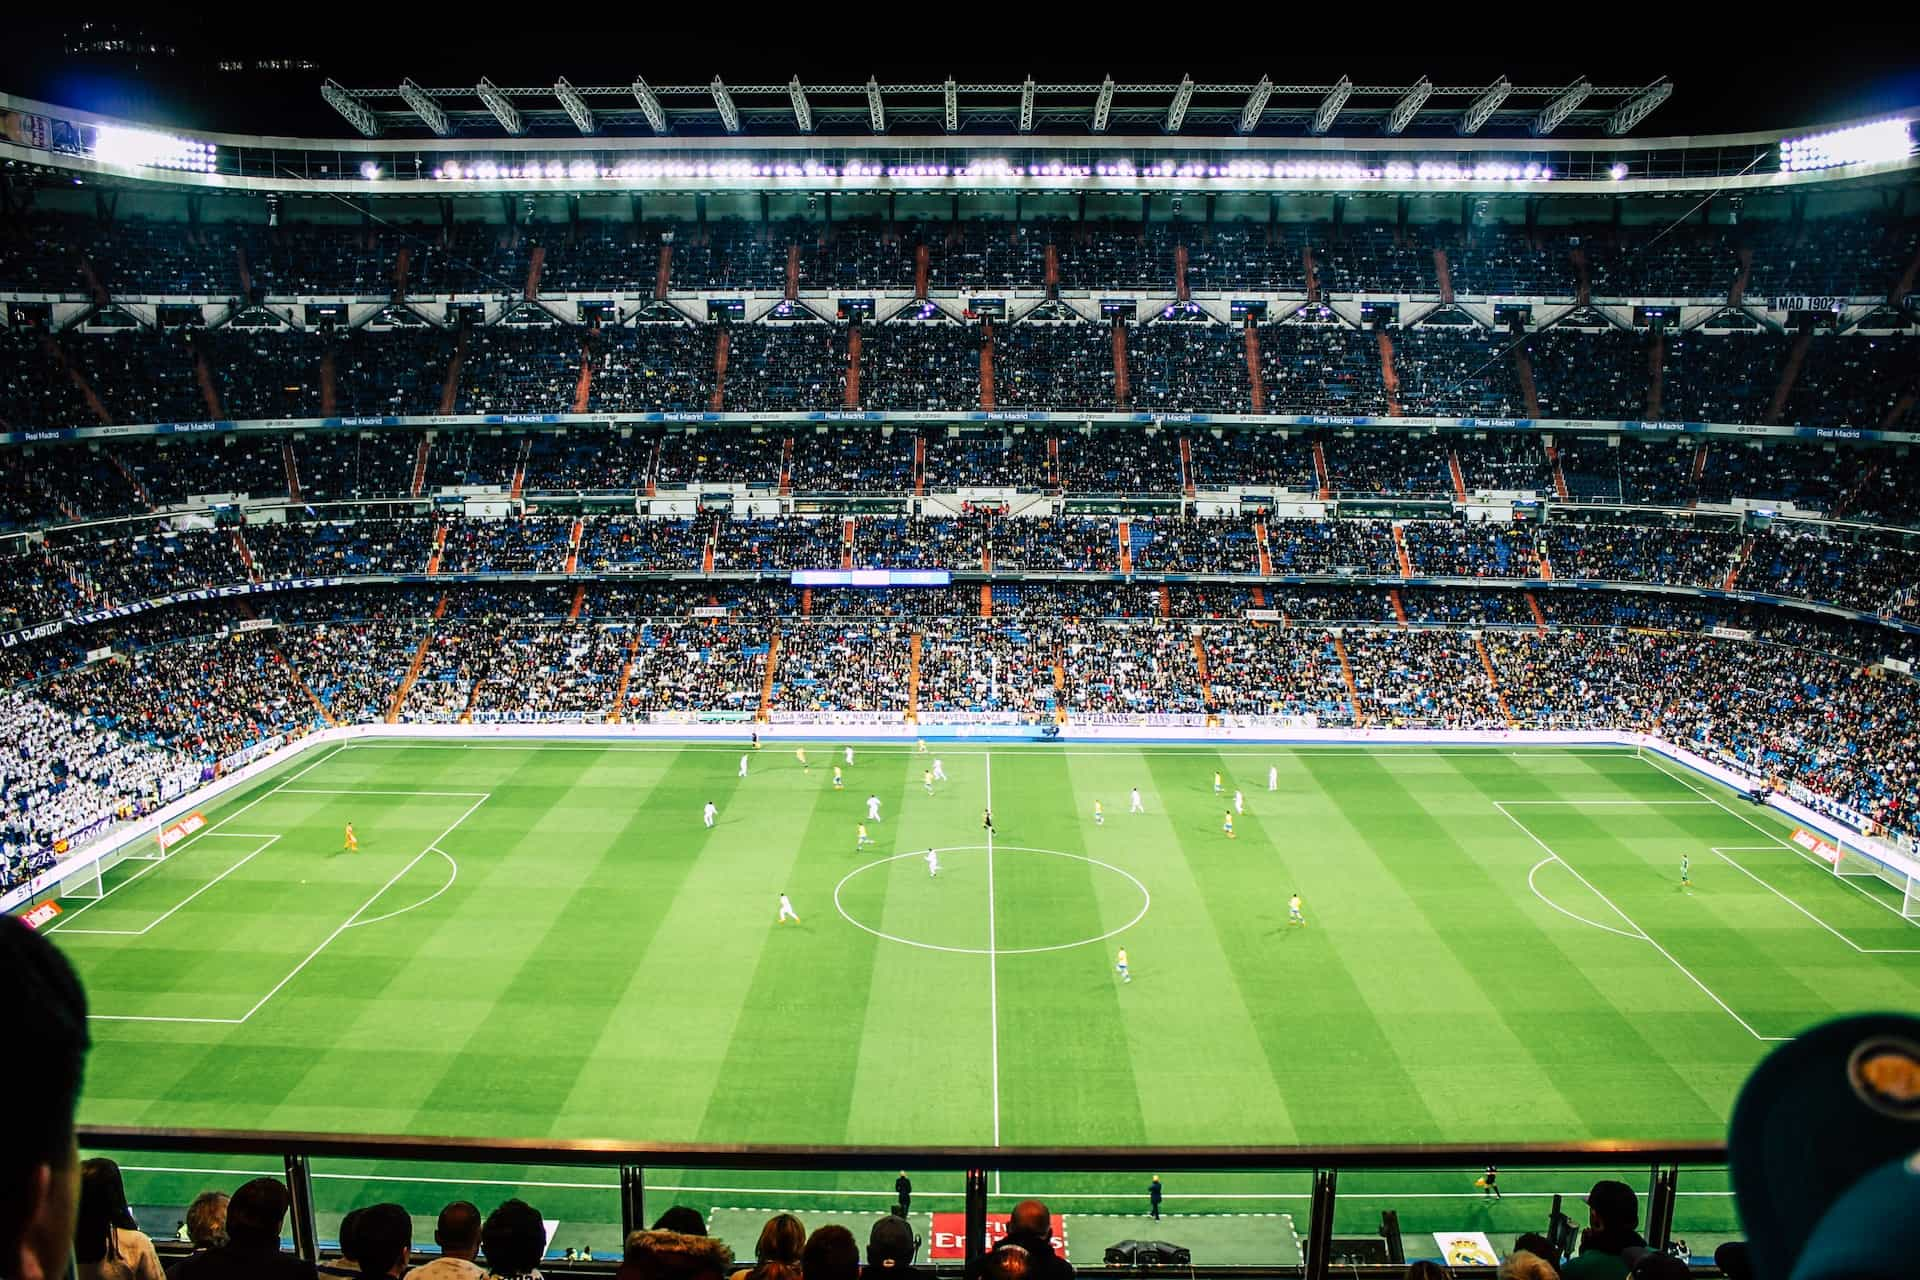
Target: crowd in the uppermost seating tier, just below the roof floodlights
(132, 256)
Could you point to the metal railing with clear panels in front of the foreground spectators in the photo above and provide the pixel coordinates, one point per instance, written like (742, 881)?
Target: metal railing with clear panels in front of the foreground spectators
(1335, 1239)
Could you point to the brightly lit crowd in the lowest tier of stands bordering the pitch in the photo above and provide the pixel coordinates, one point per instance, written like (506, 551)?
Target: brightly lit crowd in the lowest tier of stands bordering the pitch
(1779, 692)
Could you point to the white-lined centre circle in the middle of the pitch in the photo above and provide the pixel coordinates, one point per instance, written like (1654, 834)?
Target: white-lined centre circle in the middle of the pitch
(944, 901)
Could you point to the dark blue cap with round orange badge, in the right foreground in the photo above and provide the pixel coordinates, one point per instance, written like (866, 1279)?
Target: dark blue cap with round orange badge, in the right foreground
(1813, 1122)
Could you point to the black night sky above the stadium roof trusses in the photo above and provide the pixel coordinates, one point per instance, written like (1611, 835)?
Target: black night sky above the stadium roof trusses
(1773, 76)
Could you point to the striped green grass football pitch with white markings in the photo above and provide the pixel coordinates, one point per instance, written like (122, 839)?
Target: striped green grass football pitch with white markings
(546, 941)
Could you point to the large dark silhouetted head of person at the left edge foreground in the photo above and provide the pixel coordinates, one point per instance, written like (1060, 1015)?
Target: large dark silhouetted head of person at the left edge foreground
(45, 1014)
